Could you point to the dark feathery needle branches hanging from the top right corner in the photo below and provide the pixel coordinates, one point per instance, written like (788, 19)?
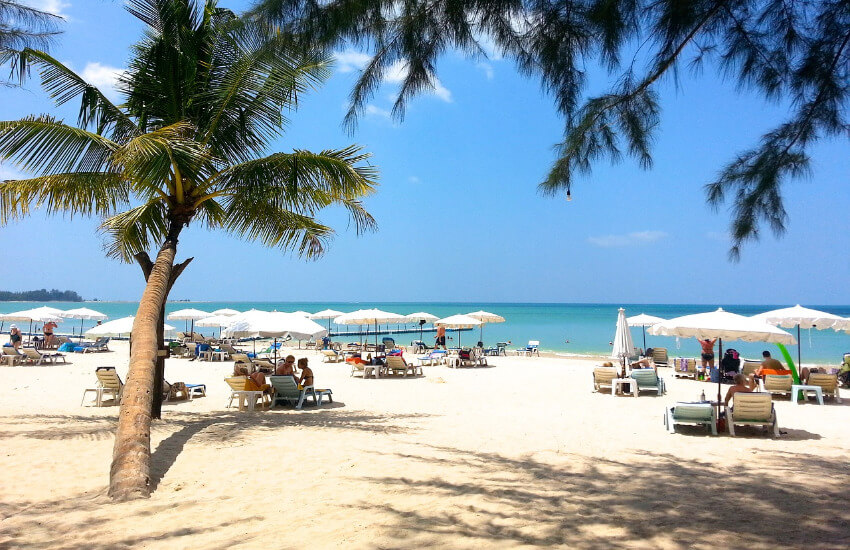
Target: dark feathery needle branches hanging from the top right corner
(789, 51)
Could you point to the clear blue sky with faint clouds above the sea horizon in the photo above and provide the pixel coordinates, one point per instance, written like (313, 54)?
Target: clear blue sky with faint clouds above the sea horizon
(459, 215)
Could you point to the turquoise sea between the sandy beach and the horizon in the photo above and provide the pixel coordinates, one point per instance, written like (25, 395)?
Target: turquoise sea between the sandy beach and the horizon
(582, 329)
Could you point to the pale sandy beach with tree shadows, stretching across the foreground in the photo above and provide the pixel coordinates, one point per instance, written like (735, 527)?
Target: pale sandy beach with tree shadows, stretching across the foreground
(519, 454)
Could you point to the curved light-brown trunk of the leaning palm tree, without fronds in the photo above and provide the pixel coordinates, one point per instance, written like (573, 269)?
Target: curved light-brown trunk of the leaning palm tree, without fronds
(129, 477)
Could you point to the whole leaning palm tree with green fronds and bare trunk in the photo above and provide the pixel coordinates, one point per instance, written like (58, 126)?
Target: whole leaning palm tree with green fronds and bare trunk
(204, 93)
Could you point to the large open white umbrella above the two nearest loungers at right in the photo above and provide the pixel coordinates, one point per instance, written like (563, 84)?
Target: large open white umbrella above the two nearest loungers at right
(722, 325)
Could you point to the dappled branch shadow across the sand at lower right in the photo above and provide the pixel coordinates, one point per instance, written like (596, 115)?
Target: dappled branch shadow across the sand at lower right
(659, 500)
